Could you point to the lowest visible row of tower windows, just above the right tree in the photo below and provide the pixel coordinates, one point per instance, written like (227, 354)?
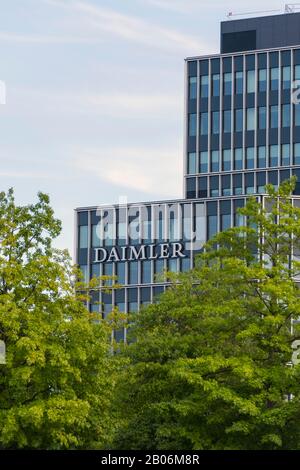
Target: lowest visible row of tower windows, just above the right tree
(237, 183)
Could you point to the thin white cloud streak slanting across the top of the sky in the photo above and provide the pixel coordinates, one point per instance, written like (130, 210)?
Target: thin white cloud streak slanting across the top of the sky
(98, 19)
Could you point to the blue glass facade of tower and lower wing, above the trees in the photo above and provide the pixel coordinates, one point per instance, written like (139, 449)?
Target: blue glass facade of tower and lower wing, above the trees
(242, 132)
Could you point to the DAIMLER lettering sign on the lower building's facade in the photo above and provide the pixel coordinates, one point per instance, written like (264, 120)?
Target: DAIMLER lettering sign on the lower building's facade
(140, 252)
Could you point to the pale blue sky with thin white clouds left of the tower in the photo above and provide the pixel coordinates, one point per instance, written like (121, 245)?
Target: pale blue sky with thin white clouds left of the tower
(95, 94)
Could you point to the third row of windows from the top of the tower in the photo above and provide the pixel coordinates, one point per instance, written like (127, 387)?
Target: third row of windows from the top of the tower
(243, 159)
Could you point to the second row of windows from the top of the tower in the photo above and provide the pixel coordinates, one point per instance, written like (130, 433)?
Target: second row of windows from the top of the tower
(249, 119)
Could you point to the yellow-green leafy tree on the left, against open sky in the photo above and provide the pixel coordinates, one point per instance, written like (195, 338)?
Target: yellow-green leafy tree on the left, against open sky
(56, 384)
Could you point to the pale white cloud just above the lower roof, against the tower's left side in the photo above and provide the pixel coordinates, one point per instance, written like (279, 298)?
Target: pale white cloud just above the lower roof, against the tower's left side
(153, 171)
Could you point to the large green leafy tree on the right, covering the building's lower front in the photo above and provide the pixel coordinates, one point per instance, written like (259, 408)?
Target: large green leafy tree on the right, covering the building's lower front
(210, 365)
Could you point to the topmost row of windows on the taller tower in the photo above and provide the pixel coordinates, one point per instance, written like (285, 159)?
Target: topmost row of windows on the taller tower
(243, 82)
